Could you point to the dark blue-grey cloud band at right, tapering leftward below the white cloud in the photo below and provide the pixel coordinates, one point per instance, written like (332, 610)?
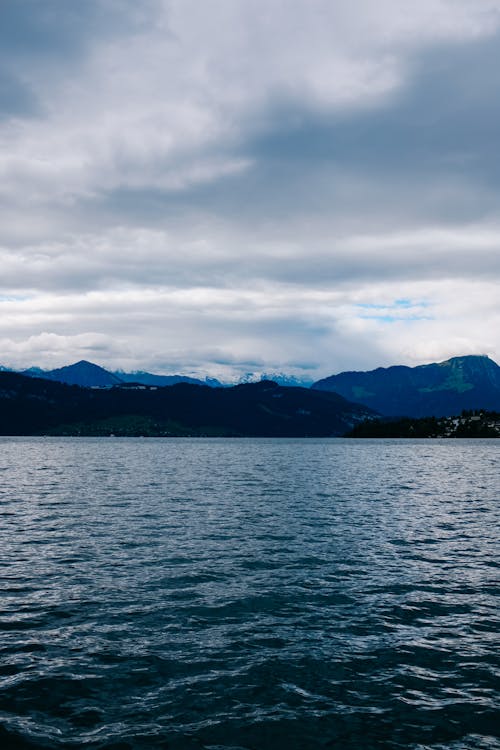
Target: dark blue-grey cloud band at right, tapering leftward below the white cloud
(428, 155)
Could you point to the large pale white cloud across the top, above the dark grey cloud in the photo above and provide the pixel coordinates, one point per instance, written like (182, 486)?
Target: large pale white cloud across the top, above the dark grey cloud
(141, 109)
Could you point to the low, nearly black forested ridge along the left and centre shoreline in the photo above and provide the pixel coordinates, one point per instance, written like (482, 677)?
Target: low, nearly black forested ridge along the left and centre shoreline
(31, 406)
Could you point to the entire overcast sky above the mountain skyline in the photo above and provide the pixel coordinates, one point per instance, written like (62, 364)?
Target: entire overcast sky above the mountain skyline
(234, 186)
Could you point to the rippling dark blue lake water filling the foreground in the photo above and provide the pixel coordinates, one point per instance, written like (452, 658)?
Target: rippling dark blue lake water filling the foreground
(258, 594)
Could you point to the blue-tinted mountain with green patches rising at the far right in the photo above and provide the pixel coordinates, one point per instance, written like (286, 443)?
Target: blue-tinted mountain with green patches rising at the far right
(437, 389)
